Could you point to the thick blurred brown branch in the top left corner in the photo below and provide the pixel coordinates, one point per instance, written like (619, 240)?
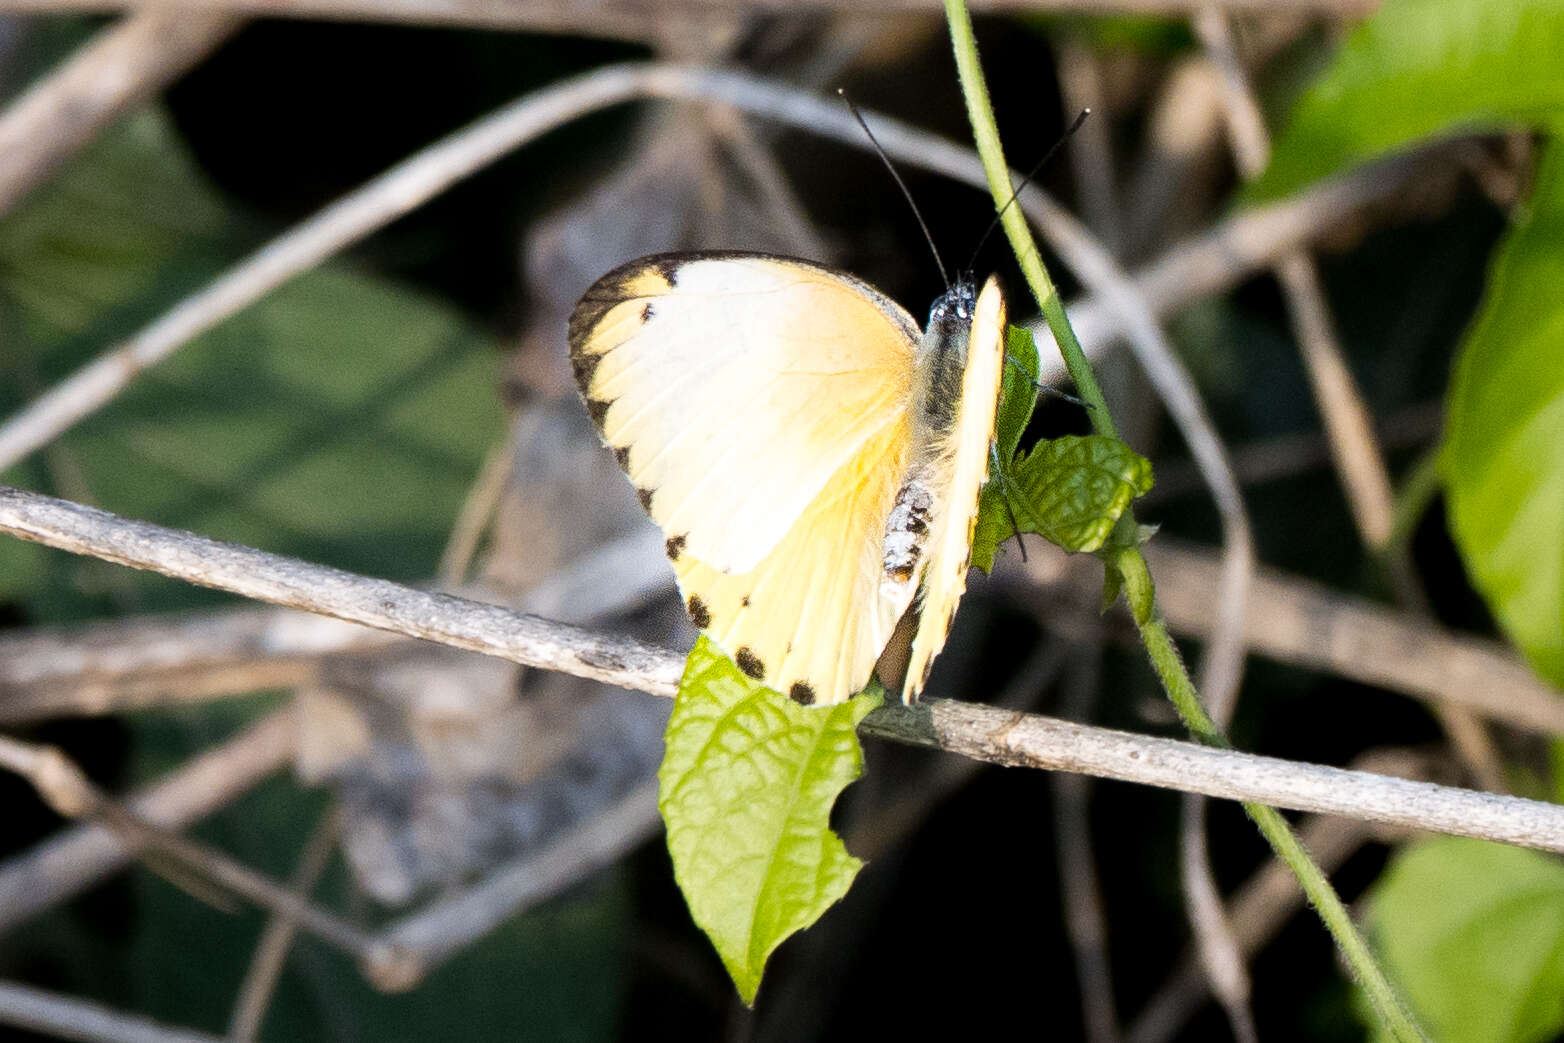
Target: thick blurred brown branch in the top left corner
(121, 66)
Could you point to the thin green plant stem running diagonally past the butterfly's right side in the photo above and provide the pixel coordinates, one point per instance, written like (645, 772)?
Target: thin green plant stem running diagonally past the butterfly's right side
(1132, 565)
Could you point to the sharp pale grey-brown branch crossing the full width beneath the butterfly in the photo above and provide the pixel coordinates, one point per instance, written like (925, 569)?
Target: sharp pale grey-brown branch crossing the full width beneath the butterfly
(969, 729)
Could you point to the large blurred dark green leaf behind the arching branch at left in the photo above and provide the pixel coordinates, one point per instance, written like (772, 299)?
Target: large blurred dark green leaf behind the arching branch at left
(340, 420)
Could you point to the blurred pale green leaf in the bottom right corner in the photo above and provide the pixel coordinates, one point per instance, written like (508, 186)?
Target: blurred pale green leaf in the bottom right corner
(1474, 934)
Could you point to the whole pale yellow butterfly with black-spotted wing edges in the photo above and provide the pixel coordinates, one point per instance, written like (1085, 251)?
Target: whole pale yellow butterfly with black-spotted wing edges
(812, 457)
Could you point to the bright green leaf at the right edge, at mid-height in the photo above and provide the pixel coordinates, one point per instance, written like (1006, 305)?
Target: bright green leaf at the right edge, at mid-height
(1504, 456)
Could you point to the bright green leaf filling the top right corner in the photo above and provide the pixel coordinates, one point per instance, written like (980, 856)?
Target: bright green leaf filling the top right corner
(1418, 68)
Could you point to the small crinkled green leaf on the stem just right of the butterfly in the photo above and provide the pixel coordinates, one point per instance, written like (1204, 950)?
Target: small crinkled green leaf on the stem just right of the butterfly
(1071, 492)
